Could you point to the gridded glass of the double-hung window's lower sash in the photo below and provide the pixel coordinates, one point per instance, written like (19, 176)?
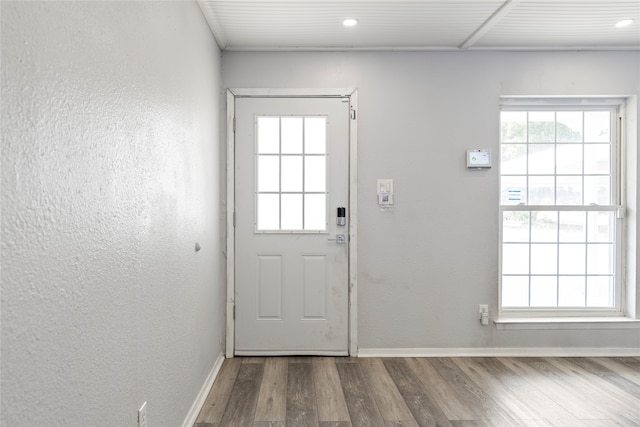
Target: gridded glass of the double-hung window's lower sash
(551, 255)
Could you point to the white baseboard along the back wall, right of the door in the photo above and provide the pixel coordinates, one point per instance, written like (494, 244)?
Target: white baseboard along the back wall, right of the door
(499, 352)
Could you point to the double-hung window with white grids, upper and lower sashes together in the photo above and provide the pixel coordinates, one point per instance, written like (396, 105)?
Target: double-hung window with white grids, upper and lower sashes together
(560, 215)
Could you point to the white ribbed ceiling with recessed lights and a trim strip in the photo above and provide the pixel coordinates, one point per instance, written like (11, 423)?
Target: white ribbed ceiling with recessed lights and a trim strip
(423, 24)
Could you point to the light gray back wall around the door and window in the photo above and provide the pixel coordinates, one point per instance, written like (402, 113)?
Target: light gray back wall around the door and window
(425, 266)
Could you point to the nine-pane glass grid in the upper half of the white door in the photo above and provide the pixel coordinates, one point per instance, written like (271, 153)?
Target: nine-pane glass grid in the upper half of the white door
(291, 174)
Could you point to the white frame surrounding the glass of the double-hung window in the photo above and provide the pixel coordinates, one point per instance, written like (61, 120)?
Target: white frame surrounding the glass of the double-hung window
(617, 195)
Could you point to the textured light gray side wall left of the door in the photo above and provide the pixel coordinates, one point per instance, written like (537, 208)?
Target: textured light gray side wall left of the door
(110, 175)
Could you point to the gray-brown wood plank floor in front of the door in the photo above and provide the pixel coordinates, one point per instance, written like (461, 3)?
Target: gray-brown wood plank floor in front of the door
(403, 392)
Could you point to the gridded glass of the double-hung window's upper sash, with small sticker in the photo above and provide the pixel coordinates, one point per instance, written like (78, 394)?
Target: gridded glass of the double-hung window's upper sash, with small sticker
(555, 164)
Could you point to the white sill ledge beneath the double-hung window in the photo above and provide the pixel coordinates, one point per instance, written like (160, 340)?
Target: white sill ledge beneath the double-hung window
(519, 323)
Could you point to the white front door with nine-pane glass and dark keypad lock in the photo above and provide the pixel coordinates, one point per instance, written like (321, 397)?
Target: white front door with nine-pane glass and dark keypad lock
(291, 266)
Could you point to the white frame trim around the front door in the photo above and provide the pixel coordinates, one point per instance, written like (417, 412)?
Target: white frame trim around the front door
(350, 93)
